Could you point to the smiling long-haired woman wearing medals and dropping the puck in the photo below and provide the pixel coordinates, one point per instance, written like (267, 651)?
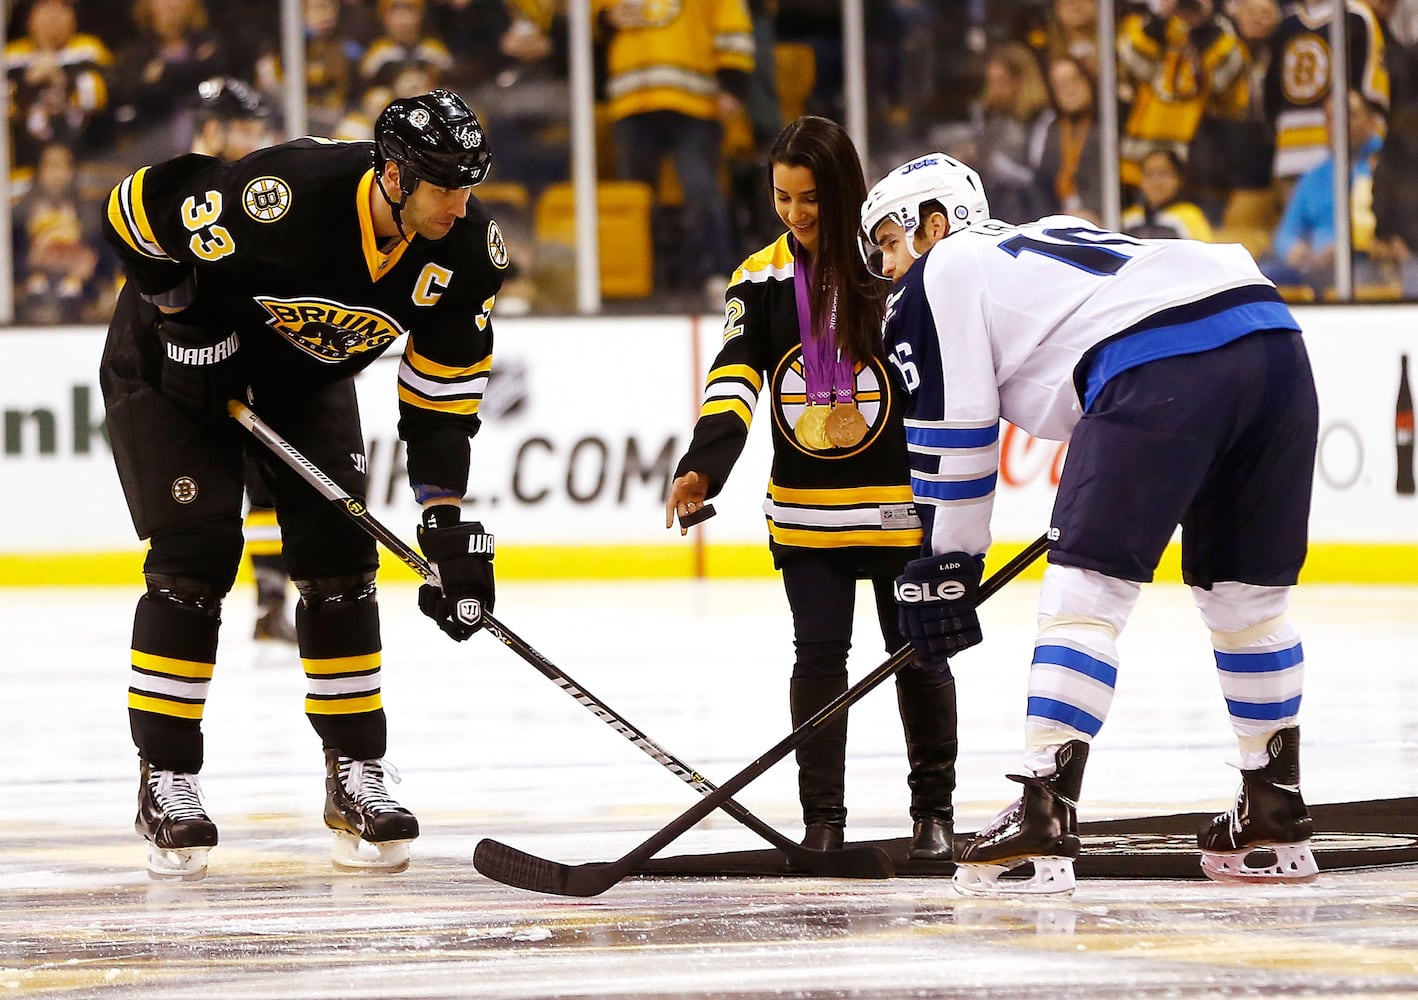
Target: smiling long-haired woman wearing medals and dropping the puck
(805, 317)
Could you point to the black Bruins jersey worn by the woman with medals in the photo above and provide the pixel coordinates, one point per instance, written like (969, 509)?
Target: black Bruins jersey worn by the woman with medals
(817, 500)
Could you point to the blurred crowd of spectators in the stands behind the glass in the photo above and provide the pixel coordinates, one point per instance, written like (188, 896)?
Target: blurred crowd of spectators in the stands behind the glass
(1223, 117)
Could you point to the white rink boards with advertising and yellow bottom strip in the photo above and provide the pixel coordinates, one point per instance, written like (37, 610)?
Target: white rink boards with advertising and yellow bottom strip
(578, 490)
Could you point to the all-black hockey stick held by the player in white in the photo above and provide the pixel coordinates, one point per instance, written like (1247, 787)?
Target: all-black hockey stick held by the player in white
(527, 872)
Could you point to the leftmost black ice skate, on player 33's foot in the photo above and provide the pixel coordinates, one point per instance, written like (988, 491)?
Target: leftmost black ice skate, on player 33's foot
(174, 823)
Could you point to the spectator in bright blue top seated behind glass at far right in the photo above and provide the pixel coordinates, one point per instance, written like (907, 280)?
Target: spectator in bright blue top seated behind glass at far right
(1304, 249)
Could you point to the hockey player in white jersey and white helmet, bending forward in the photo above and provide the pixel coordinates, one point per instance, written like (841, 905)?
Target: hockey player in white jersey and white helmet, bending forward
(1183, 387)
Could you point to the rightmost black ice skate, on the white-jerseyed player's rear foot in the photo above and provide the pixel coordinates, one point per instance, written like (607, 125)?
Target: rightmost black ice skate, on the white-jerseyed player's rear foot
(1266, 838)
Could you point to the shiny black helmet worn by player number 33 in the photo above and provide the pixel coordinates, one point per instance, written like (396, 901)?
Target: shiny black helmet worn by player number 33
(433, 137)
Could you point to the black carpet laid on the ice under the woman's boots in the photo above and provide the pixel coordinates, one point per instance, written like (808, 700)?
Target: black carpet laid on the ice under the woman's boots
(1378, 833)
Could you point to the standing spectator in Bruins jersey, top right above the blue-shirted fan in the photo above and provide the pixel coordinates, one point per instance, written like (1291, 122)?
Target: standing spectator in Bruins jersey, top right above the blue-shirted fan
(1298, 86)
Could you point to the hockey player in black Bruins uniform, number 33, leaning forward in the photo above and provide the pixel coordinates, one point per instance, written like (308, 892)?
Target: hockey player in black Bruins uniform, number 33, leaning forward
(277, 279)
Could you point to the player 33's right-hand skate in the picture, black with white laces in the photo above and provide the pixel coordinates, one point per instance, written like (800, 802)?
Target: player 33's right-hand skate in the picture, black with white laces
(371, 829)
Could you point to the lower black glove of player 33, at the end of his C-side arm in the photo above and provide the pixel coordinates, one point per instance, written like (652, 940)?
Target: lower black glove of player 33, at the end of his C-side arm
(463, 557)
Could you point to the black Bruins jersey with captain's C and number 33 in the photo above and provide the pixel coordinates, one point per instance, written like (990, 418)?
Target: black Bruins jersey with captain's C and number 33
(283, 249)
